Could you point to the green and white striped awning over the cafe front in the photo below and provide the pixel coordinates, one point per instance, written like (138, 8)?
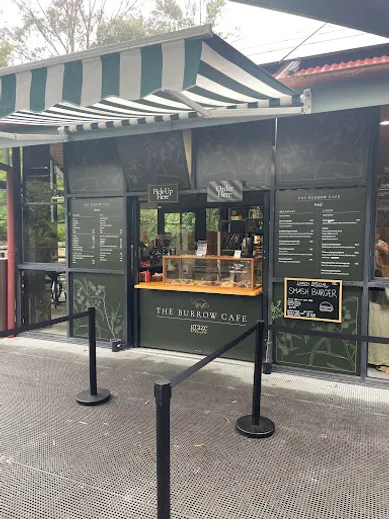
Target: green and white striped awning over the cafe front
(191, 73)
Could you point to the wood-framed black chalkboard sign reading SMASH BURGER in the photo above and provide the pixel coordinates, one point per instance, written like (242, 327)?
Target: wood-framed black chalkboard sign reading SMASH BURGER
(313, 299)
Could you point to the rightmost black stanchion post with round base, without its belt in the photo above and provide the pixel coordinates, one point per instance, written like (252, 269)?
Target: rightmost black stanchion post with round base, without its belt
(255, 425)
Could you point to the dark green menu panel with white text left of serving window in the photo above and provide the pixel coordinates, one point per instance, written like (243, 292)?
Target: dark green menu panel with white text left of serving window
(97, 233)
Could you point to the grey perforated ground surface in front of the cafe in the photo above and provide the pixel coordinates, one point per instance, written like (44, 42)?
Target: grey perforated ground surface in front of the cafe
(328, 459)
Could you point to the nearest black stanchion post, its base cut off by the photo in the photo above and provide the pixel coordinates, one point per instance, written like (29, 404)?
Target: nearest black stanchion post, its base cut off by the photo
(163, 391)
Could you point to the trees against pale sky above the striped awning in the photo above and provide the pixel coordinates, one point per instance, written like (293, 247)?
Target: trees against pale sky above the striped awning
(64, 26)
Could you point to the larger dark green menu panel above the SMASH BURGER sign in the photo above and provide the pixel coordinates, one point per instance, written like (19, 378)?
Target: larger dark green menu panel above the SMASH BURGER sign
(320, 233)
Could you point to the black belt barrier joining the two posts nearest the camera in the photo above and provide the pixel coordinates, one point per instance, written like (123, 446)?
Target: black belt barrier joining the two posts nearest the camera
(253, 426)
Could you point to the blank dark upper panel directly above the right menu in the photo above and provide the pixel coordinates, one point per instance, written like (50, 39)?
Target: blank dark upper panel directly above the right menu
(329, 148)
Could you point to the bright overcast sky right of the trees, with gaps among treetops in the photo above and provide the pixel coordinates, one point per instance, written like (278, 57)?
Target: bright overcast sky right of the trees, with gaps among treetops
(267, 36)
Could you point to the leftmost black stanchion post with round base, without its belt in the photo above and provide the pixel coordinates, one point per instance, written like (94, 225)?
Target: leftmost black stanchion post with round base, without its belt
(93, 395)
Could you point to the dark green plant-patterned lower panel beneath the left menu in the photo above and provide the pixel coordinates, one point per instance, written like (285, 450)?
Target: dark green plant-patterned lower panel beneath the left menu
(105, 292)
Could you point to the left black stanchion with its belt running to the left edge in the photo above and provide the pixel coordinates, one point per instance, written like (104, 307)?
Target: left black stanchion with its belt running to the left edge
(93, 395)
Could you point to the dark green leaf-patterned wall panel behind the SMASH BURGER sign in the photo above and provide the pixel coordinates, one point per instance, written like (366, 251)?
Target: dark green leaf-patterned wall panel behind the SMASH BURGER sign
(320, 353)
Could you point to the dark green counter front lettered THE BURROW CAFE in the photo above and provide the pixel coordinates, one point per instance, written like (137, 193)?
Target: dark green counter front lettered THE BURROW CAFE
(196, 322)
